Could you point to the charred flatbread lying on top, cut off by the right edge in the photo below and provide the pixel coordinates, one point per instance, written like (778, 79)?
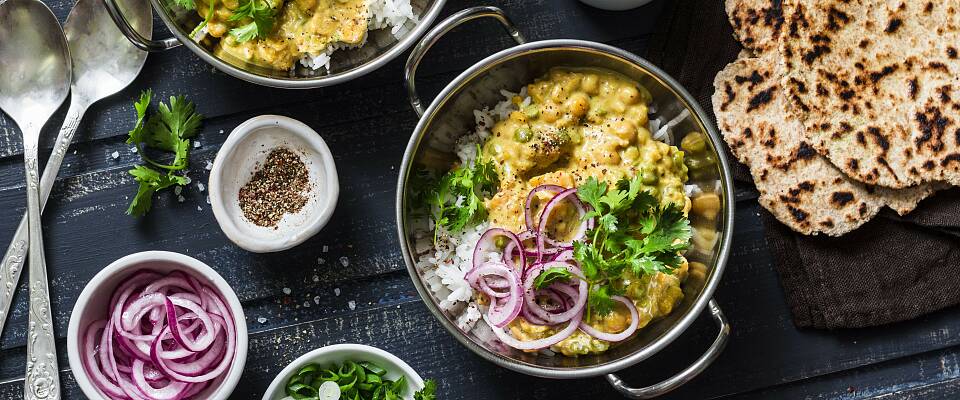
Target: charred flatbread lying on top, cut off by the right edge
(875, 83)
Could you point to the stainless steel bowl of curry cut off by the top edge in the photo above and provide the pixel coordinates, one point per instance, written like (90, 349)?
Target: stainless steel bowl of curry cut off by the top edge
(346, 64)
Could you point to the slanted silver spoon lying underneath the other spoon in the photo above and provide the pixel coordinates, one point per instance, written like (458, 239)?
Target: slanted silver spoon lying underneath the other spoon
(104, 62)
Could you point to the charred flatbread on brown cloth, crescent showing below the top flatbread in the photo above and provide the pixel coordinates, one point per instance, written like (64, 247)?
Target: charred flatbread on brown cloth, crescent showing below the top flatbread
(799, 186)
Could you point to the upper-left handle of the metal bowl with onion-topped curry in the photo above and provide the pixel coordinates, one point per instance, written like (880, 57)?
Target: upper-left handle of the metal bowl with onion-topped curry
(441, 29)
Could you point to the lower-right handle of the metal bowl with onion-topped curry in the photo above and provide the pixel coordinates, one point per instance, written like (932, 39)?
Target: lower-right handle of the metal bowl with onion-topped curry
(686, 375)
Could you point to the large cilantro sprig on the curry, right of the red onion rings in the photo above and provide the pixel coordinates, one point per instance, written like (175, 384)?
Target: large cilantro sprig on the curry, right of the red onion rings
(633, 231)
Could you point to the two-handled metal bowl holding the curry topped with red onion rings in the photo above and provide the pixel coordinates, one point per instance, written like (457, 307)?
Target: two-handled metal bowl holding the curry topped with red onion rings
(450, 115)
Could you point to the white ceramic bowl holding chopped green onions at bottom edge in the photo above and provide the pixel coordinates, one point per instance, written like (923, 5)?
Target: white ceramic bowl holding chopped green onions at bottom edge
(339, 353)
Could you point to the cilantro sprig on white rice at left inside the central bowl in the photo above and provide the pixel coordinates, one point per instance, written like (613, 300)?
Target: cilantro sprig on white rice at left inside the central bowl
(457, 199)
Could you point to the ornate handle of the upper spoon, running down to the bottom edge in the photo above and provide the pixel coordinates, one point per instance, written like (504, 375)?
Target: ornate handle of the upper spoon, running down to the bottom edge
(42, 379)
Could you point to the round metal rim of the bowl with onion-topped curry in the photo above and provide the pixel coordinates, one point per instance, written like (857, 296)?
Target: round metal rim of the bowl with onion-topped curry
(672, 332)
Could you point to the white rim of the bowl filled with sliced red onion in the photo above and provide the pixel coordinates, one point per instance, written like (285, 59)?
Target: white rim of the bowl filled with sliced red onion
(187, 262)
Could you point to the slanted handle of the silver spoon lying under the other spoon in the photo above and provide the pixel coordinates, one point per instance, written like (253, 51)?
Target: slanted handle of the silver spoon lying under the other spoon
(16, 254)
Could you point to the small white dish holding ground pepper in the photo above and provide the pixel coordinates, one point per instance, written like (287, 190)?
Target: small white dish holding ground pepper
(246, 148)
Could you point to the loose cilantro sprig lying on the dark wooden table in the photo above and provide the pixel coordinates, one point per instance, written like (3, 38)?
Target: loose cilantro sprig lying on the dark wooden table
(170, 130)
